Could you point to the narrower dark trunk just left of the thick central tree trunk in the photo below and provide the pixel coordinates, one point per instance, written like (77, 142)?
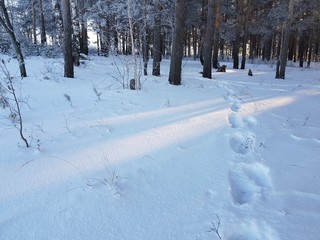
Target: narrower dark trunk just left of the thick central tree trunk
(157, 40)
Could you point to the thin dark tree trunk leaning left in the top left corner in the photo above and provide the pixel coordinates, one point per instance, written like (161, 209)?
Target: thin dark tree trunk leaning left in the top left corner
(5, 22)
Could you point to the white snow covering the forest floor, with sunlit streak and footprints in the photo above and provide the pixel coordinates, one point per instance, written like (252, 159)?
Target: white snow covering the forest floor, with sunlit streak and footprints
(235, 157)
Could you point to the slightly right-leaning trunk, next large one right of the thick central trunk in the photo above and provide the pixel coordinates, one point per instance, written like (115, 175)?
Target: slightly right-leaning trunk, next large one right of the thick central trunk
(208, 41)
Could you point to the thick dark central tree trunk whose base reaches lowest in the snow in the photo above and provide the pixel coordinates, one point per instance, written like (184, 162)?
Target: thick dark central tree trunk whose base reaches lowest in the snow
(177, 44)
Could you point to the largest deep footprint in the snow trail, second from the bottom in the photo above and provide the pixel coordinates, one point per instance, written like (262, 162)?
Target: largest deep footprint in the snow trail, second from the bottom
(249, 182)
